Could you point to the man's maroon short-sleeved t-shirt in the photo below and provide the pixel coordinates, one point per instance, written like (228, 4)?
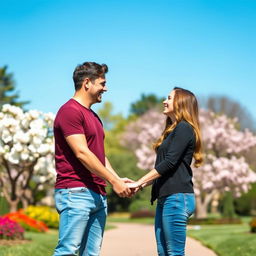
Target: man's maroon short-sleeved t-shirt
(73, 118)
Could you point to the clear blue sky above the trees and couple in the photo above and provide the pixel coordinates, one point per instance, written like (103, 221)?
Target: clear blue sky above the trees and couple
(150, 46)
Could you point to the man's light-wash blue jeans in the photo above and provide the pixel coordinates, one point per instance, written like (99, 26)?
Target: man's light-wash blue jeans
(82, 221)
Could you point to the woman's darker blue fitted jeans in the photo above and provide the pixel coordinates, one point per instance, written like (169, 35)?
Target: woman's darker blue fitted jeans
(172, 213)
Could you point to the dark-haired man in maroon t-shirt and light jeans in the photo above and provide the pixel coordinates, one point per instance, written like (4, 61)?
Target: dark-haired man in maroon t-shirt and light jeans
(81, 165)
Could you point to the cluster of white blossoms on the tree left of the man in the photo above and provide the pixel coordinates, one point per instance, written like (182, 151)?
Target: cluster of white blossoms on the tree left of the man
(26, 140)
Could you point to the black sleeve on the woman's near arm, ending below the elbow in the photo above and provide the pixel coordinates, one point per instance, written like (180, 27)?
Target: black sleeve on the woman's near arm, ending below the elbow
(180, 139)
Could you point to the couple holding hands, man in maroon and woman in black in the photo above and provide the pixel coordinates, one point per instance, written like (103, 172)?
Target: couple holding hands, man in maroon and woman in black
(83, 169)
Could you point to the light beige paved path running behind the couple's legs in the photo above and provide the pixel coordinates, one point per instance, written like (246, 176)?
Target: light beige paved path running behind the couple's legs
(139, 240)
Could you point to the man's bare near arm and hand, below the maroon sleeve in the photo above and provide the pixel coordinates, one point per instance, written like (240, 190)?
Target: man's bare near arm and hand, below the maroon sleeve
(78, 144)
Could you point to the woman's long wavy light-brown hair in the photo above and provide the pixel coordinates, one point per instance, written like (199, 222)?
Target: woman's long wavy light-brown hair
(185, 107)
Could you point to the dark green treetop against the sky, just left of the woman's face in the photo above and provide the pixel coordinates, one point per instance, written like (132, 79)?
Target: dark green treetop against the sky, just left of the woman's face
(145, 103)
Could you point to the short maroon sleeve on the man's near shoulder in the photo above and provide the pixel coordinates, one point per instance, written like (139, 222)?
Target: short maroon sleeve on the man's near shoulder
(71, 122)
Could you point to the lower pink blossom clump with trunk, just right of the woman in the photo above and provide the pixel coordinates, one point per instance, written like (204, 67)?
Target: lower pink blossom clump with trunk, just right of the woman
(219, 176)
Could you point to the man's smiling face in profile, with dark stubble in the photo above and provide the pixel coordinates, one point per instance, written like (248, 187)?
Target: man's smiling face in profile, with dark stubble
(97, 88)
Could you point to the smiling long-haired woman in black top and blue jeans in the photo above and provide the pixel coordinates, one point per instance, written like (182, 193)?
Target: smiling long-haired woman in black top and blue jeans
(172, 175)
